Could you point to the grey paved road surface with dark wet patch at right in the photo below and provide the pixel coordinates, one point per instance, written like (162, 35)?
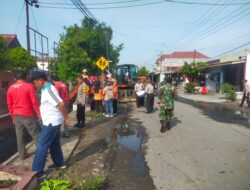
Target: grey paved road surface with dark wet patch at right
(206, 149)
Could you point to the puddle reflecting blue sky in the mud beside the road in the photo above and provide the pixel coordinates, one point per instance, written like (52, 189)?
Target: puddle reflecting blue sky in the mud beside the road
(130, 137)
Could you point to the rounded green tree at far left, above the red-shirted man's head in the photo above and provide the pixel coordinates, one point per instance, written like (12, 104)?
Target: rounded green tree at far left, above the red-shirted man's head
(20, 60)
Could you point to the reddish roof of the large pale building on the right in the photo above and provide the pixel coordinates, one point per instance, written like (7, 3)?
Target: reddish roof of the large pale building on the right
(183, 55)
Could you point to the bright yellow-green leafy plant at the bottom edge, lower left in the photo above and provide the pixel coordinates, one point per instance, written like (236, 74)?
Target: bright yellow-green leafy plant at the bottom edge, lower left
(56, 184)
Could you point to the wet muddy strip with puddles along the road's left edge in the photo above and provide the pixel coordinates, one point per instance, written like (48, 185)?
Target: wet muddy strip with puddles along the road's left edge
(129, 169)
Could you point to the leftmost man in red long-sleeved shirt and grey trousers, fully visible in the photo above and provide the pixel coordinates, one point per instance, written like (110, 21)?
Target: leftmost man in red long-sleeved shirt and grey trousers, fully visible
(24, 109)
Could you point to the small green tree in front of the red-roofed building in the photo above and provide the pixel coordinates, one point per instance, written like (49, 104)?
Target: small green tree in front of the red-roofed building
(193, 69)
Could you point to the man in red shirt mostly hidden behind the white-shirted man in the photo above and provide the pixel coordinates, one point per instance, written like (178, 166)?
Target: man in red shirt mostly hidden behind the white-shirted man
(63, 92)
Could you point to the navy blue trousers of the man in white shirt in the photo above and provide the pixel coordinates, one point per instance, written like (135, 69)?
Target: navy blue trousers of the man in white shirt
(49, 140)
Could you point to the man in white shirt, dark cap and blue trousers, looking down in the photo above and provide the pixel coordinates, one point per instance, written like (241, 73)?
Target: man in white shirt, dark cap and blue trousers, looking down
(53, 114)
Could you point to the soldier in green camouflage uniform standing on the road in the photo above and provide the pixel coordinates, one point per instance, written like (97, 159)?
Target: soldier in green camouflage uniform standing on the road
(167, 96)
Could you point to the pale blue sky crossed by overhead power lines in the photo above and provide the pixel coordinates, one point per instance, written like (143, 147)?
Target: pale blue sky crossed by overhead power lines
(146, 31)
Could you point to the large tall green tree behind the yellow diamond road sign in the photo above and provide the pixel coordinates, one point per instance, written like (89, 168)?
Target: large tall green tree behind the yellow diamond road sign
(80, 48)
